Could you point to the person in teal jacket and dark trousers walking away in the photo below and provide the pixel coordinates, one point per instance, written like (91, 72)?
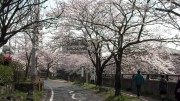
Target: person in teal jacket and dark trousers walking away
(139, 81)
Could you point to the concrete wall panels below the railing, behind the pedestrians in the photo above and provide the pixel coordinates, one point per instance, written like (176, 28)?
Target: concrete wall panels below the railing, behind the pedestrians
(150, 87)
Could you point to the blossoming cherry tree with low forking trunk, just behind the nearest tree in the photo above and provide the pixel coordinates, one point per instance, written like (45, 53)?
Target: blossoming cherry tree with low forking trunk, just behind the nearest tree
(75, 14)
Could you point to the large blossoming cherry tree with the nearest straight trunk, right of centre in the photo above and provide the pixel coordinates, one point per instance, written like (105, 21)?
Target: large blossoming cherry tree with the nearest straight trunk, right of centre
(125, 24)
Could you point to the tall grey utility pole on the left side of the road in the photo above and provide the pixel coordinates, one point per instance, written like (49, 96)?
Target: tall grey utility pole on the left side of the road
(34, 41)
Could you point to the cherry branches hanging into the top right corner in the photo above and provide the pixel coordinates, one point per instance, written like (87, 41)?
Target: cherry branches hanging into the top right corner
(170, 8)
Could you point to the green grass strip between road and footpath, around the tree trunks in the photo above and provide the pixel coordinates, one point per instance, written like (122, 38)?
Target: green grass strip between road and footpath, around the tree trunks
(109, 95)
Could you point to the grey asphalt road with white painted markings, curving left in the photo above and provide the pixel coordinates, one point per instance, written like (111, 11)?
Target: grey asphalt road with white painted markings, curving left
(61, 91)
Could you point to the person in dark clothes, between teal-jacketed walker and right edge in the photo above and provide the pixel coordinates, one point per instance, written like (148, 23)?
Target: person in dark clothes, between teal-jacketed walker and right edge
(163, 87)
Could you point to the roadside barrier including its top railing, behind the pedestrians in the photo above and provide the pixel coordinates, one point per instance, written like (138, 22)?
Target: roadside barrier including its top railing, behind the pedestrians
(151, 85)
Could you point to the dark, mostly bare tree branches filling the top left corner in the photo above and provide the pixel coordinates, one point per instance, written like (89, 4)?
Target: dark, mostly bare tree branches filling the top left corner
(16, 16)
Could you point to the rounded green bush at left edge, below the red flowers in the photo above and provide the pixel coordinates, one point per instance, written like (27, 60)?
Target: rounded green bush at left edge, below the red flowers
(6, 74)
